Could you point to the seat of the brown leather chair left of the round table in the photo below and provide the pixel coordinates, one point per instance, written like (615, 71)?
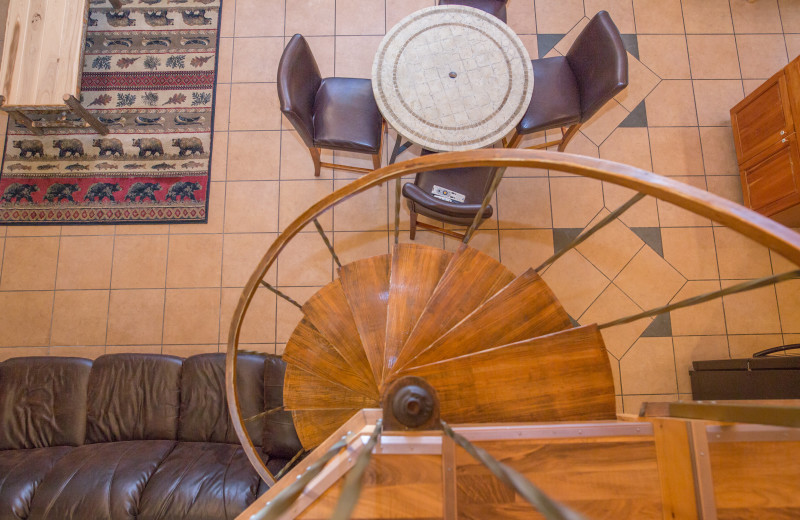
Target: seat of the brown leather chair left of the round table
(346, 116)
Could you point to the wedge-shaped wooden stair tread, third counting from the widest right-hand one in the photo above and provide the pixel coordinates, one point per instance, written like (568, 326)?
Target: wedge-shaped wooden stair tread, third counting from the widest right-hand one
(471, 278)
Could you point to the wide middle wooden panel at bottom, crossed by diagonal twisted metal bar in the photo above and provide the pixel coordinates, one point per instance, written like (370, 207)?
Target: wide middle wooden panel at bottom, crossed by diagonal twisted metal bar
(613, 478)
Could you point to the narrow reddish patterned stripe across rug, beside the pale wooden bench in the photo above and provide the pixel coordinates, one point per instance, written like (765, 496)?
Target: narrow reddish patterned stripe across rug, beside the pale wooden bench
(155, 80)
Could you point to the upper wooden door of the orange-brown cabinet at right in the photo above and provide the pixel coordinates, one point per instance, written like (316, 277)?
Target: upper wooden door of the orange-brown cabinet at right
(762, 118)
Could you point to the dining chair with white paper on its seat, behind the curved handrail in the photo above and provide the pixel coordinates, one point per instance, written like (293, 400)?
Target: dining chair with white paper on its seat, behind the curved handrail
(472, 183)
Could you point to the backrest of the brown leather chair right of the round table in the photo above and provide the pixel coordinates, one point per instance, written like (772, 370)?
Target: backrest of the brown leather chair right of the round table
(600, 63)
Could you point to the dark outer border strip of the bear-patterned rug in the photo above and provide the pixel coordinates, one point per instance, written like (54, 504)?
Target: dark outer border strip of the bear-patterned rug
(142, 223)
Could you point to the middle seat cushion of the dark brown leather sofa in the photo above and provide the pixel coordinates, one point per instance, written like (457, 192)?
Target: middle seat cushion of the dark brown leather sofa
(99, 481)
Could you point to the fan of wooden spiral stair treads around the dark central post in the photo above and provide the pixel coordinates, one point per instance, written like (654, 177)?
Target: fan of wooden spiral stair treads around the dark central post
(497, 348)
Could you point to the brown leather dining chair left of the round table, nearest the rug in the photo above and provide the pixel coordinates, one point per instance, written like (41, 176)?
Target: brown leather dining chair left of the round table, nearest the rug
(330, 113)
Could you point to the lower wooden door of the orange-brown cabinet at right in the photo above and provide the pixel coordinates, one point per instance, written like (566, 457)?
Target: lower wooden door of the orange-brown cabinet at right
(771, 181)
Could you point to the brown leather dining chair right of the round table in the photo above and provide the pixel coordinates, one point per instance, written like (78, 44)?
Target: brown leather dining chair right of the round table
(568, 90)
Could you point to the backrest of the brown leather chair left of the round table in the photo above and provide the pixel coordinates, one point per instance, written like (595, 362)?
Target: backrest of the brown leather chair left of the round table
(298, 82)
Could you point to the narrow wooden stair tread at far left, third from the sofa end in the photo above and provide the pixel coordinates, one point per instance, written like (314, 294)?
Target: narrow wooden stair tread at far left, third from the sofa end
(309, 350)
